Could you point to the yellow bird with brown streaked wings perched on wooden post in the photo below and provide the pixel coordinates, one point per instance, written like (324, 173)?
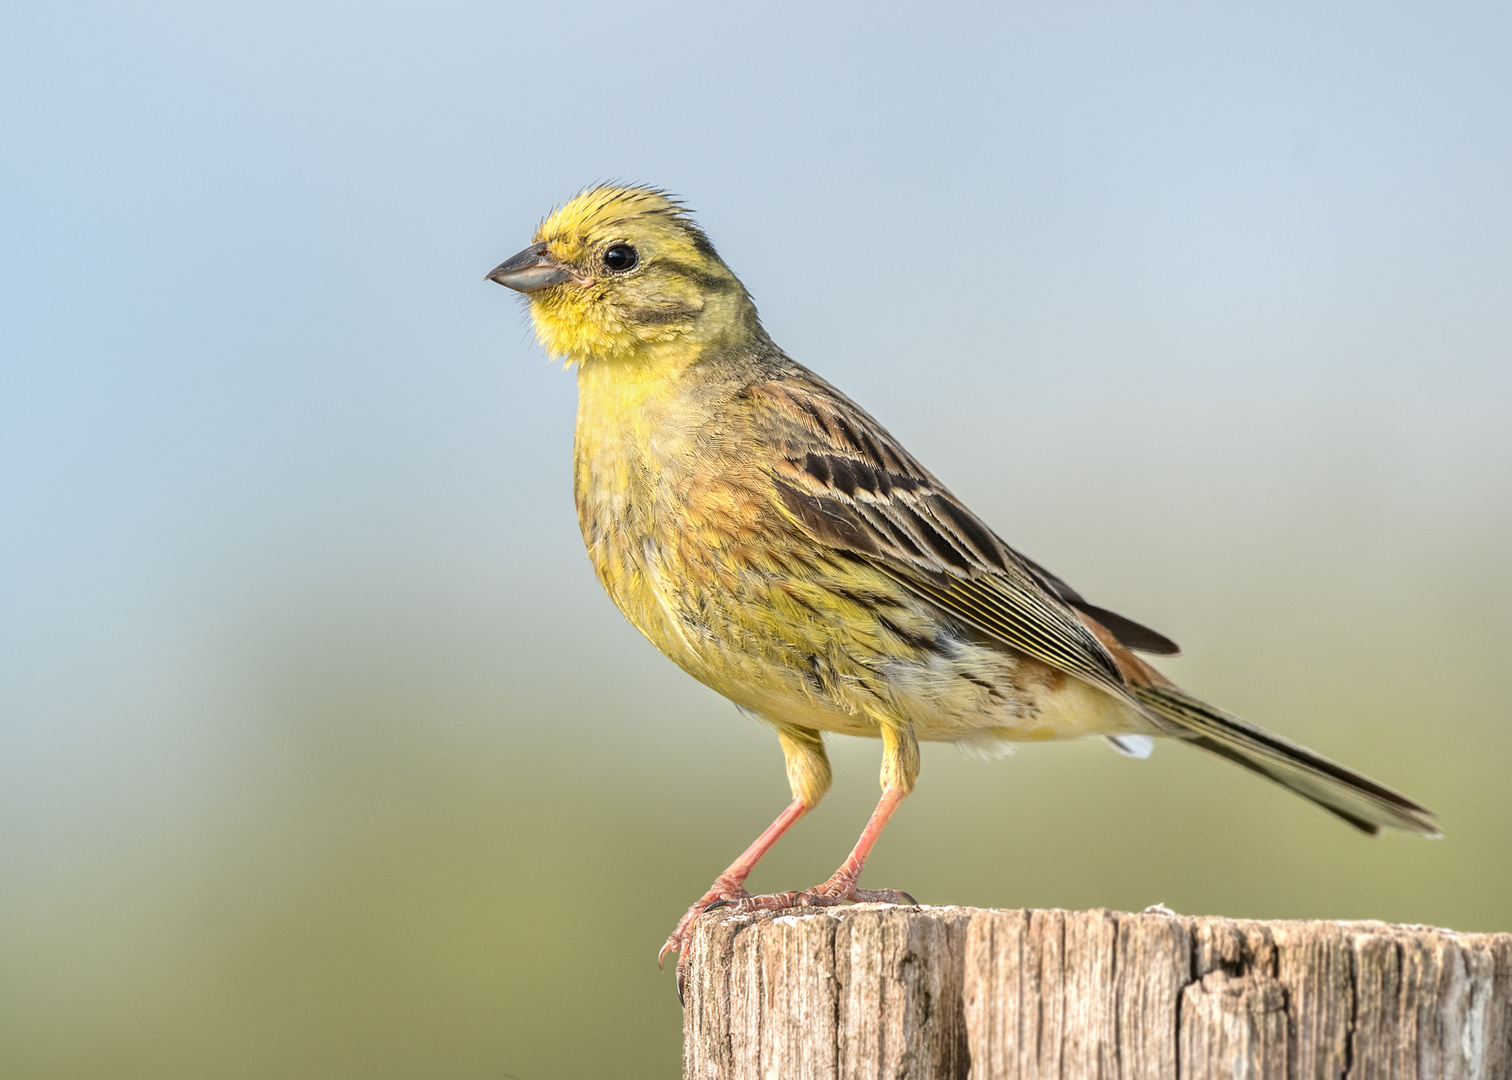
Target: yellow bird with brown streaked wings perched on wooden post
(781, 547)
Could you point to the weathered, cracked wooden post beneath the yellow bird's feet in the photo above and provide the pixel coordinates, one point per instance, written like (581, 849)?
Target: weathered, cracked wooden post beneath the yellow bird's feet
(878, 993)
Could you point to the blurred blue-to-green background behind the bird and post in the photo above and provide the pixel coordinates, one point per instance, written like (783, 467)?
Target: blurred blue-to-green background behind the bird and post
(321, 753)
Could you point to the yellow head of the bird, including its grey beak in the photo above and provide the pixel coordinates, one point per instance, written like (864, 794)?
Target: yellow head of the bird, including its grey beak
(624, 273)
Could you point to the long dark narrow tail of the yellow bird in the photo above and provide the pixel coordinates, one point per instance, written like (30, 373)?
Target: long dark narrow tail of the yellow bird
(1343, 792)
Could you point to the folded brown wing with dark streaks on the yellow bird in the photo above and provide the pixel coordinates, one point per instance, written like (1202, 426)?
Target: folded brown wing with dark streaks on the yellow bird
(857, 489)
